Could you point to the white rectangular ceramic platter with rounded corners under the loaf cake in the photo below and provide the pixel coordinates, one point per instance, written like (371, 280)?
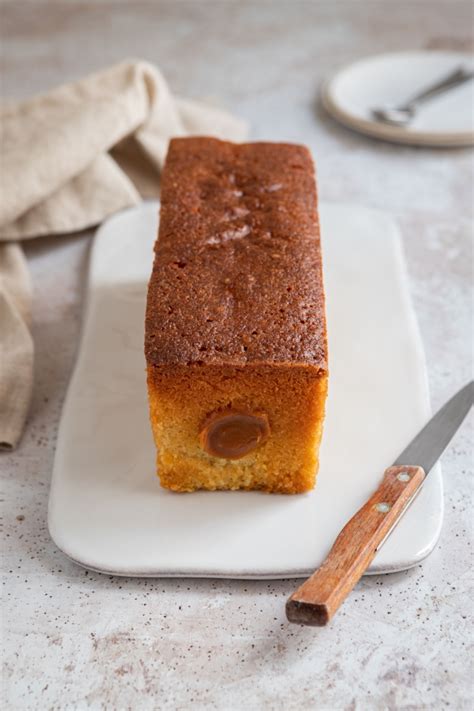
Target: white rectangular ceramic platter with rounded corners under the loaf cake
(107, 510)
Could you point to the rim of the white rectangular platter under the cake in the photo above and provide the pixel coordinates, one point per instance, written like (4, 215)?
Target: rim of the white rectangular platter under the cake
(229, 574)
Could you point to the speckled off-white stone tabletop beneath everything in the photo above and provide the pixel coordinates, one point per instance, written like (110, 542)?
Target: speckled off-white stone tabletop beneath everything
(79, 640)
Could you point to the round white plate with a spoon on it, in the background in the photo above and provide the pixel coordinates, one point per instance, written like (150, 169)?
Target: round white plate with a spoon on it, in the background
(389, 79)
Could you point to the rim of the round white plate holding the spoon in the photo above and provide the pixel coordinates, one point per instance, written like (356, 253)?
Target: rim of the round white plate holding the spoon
(387, 132)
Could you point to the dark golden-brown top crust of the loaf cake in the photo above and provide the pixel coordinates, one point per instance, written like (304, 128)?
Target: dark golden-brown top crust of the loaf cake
(237, 275)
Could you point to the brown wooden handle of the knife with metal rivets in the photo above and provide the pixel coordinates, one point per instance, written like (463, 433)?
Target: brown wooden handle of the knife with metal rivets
(316, 601)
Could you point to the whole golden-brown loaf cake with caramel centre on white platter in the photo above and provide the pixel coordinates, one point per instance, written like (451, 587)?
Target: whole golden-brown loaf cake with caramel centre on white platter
(235, 333)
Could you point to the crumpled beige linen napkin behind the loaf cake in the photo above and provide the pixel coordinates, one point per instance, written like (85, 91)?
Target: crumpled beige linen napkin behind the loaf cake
(70, 158)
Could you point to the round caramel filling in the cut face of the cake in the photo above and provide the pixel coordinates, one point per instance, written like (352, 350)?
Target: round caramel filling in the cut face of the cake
(232, 435)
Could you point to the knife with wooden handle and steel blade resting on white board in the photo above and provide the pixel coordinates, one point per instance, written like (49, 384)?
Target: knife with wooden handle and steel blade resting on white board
(318, 598)
